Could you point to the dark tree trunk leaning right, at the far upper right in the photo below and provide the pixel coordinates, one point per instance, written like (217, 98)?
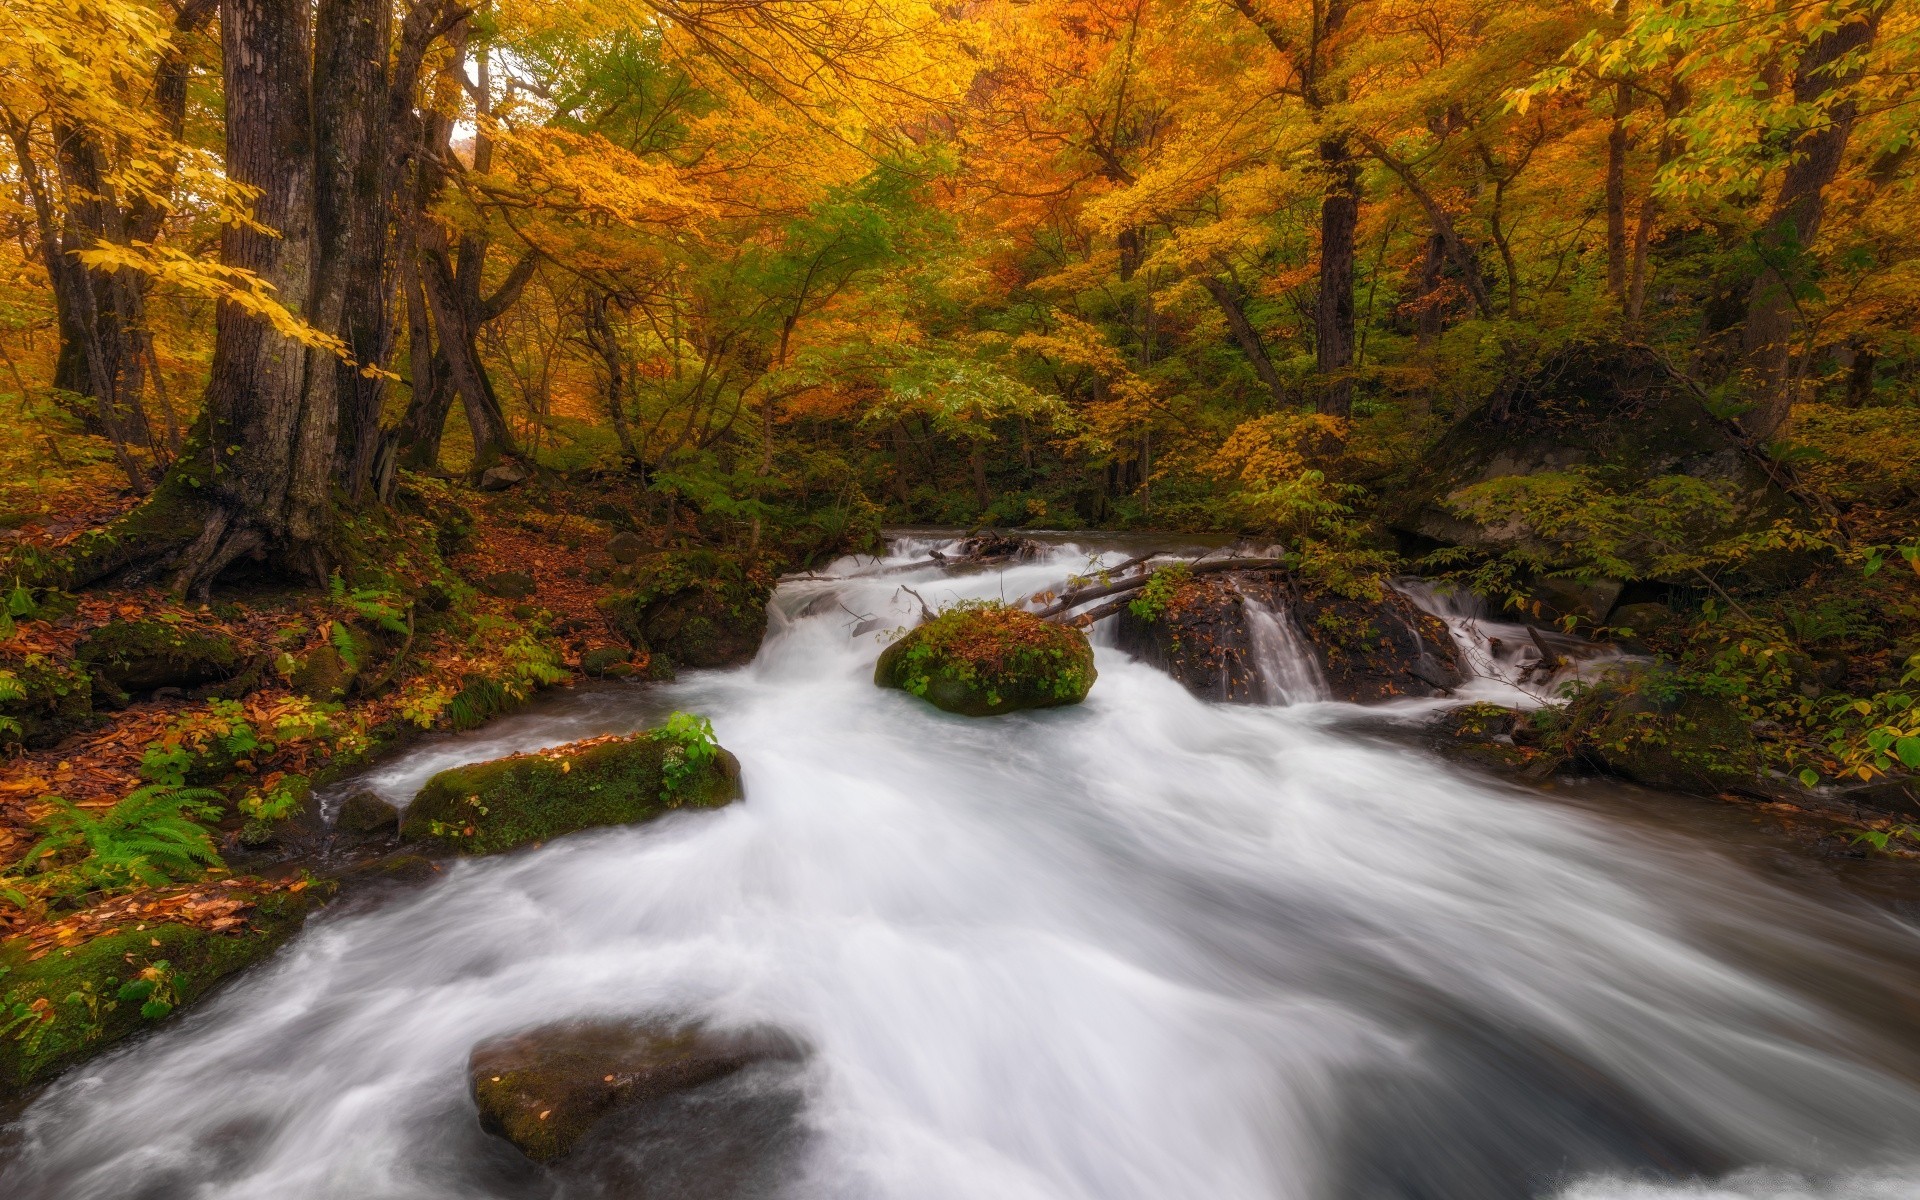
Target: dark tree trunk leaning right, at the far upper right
(1794, 224)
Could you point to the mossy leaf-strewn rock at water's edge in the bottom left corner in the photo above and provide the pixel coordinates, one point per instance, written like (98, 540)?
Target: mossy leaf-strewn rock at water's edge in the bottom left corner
(76, 1001)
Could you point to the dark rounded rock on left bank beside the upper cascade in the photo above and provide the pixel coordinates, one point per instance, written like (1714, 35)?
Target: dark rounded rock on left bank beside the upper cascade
(694, 608)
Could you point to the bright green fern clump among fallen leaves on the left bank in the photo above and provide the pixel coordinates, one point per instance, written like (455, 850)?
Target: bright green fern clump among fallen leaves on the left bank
(151, 838)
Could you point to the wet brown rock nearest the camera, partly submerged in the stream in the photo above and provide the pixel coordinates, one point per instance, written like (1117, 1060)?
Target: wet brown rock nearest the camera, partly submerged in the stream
(548, 1088)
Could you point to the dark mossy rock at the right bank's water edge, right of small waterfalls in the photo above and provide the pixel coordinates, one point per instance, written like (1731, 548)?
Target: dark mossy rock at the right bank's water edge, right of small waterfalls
(1644, 727)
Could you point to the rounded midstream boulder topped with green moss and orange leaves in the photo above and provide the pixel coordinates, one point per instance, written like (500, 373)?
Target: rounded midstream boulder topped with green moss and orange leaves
(988, 660)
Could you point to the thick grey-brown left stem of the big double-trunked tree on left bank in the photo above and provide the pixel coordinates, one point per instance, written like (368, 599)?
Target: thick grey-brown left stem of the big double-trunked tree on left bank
(266, 441)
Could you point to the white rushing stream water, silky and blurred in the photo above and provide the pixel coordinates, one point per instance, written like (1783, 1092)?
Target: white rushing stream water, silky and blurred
(1136, 949)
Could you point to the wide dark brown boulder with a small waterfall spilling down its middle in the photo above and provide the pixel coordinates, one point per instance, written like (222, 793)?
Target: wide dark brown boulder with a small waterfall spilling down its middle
(1211, 638)
